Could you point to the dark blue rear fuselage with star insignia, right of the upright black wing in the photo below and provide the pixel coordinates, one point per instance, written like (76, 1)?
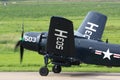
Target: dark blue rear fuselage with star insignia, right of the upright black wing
(97, 52)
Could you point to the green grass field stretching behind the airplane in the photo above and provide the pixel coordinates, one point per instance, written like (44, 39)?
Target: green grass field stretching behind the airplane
(36, 15)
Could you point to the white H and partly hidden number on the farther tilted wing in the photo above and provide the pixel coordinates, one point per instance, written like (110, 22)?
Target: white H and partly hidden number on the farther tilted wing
(90, 29)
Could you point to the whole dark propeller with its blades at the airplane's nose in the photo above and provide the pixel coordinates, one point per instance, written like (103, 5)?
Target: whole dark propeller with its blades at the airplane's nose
(19, 43)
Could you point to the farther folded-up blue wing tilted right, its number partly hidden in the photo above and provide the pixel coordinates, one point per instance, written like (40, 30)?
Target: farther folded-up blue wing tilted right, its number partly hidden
(93, 26)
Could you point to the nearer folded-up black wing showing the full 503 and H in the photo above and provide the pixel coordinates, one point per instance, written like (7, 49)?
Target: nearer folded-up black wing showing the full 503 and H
(60, 37)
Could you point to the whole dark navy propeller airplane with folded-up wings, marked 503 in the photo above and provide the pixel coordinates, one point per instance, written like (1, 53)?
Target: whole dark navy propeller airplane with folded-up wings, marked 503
(62, 46)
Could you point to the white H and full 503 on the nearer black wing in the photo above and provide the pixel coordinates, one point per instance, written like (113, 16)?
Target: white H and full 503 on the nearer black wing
(60, 38)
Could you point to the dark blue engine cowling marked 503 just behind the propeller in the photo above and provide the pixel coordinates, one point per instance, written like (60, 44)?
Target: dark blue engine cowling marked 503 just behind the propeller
(31, 40)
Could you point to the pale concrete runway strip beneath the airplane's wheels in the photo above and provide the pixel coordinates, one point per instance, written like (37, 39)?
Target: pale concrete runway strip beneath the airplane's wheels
(61, 76)
